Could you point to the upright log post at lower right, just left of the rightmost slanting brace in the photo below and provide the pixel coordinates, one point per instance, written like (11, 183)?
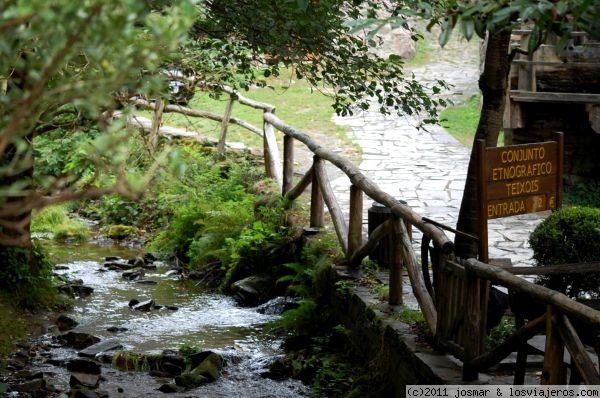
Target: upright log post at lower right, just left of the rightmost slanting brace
(555, 371)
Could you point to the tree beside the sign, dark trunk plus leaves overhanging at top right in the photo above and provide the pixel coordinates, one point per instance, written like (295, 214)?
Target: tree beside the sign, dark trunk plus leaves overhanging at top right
(495, 20)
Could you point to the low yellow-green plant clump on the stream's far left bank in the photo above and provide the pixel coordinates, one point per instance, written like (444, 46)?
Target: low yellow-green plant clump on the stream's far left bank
(56, 220)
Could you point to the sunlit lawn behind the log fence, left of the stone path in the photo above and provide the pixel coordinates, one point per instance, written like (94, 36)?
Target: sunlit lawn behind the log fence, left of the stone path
(296, 104)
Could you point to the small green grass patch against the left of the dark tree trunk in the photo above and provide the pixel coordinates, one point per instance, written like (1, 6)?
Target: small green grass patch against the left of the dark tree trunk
(461, 120)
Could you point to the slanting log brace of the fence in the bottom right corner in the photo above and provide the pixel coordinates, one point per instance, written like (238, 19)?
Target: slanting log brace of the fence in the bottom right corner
(579, 356)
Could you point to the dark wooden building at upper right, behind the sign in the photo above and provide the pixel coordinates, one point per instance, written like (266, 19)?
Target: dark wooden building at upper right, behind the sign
(550, 92)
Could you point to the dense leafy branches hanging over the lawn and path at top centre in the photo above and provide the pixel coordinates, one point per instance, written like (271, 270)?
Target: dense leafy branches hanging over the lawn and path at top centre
(315, 39)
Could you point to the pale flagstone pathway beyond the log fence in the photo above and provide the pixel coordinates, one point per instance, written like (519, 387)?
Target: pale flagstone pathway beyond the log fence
(427, 169)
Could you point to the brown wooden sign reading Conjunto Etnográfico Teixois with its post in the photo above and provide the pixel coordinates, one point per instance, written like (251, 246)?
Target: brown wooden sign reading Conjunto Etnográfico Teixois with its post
(518, 179)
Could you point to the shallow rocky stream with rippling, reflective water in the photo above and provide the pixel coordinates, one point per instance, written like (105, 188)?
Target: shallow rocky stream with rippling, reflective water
(182, 315)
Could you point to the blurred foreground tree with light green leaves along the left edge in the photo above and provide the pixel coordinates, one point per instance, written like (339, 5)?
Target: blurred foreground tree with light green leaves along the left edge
(62, 61)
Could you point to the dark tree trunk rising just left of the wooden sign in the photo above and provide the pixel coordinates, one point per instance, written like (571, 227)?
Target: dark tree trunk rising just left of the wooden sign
(492, 83)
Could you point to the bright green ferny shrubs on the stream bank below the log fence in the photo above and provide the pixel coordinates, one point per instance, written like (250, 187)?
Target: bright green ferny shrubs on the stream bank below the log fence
(206, 205)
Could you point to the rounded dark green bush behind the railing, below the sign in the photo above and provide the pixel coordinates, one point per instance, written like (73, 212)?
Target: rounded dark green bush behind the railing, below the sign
(569, 235)
